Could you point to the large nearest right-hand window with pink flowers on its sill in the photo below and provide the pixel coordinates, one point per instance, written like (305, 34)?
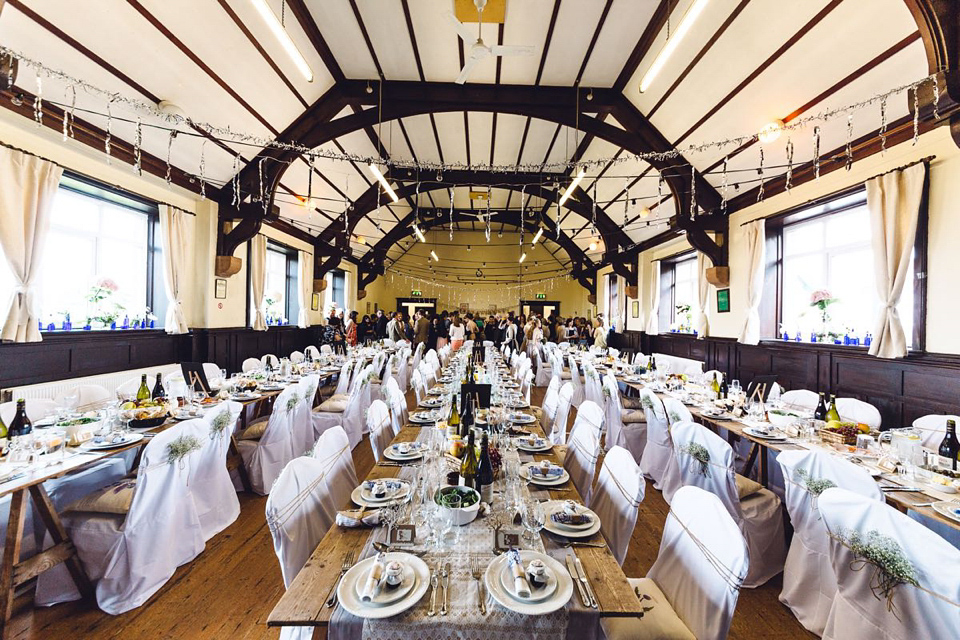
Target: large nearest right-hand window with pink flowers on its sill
(824, 251)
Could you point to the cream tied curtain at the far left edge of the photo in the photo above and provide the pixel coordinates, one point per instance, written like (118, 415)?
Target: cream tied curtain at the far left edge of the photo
(28, 185)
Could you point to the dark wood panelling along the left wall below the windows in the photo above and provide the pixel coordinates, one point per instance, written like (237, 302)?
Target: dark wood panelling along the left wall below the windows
(74, 355)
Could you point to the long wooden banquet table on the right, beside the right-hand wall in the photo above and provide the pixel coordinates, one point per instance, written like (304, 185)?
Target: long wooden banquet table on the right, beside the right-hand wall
(902, 500)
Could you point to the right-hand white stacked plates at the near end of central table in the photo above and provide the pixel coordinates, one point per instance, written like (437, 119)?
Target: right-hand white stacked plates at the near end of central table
(553, 595)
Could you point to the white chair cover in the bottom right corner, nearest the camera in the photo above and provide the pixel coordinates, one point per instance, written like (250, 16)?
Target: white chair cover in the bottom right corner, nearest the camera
(930, 611)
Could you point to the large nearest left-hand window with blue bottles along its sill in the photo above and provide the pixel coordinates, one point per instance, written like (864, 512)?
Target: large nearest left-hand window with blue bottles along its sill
(97, 236)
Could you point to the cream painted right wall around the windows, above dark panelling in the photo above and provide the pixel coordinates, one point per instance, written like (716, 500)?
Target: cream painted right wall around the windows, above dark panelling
(943, 306)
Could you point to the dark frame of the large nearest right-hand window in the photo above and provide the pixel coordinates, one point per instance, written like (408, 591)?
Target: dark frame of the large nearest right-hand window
(771, 305)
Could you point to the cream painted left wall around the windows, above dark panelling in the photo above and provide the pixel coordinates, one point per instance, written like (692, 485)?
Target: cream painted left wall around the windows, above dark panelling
(200, 307)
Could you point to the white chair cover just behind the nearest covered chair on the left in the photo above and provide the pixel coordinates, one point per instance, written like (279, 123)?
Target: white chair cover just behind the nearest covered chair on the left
(210, 485)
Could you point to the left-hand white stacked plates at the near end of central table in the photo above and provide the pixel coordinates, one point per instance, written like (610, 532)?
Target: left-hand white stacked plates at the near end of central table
(388, 601)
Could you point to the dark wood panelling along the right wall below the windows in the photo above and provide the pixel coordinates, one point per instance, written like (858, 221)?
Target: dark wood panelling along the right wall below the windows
(902, 389)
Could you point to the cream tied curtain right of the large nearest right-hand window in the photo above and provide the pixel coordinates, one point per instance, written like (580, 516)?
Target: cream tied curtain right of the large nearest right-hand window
(893, 200)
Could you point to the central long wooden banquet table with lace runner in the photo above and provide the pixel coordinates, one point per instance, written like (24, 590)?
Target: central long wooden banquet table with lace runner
(303, 604)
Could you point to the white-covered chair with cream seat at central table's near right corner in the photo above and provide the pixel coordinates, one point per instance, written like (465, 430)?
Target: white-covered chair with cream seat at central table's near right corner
(691, 591)
